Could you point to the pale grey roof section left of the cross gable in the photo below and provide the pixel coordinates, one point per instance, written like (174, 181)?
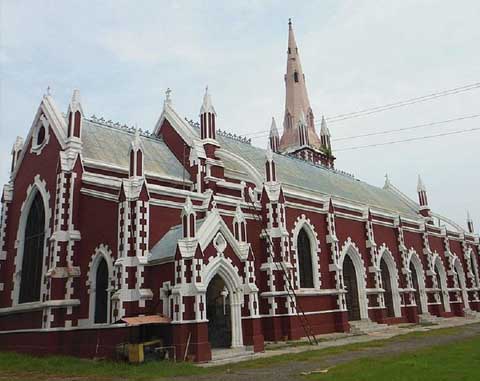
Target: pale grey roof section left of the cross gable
(110, 145)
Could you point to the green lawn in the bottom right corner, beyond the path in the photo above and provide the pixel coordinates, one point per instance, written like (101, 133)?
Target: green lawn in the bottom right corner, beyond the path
(458, 361)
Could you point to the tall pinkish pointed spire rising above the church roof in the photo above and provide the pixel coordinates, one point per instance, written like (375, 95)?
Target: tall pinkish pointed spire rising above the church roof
(296, 102)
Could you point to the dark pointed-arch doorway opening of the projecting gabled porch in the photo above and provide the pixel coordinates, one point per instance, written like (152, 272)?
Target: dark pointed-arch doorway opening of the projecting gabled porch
(218, 314)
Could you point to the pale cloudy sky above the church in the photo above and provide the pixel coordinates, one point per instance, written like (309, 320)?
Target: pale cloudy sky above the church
(123, 55)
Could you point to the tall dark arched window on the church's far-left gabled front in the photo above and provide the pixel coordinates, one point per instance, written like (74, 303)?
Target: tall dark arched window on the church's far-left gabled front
(33, 246)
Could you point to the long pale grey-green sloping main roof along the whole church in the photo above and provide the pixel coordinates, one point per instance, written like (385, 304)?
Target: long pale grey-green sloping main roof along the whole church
(110, 145)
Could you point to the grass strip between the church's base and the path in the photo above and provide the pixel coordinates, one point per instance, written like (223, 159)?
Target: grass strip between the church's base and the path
(30, 367)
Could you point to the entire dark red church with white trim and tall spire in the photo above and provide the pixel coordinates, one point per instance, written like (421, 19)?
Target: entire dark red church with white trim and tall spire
(188, 234)
